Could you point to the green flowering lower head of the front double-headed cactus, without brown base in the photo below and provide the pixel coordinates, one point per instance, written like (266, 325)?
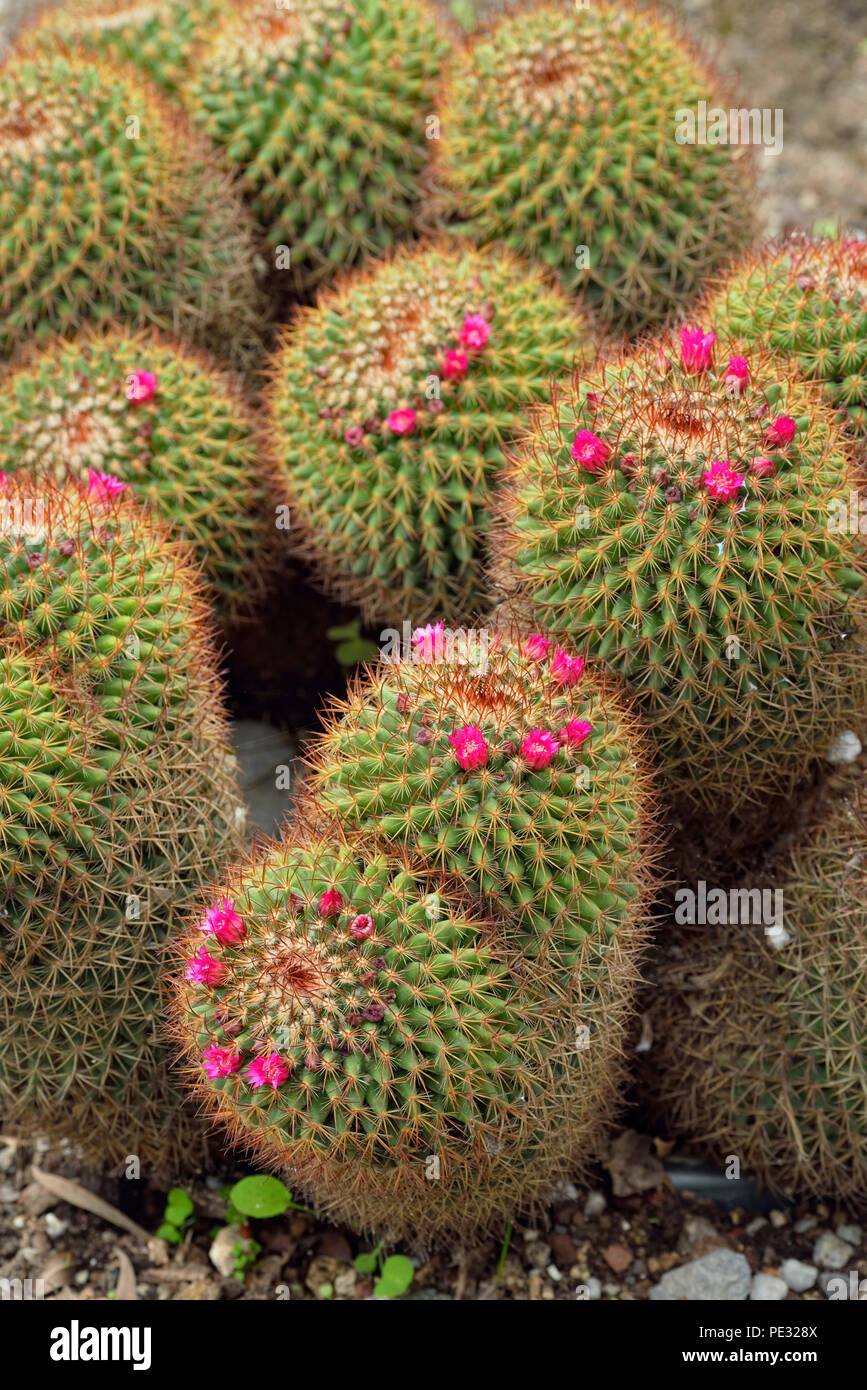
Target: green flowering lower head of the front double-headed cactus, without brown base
(365, 1028)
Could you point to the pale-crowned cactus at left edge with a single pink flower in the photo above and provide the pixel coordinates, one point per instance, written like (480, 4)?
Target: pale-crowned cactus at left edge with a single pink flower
(131, 411)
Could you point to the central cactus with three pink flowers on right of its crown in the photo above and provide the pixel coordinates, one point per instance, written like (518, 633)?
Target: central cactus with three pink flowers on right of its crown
(390, 404)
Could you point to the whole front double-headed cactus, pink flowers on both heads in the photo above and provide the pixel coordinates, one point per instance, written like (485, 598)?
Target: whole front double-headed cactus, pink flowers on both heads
(423, 1013)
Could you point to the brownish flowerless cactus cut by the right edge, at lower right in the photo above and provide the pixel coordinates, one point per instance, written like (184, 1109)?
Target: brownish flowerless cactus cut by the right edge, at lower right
(759, 1033)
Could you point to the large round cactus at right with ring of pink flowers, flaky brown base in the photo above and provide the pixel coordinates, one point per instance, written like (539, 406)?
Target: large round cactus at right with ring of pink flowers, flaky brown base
(677, 514)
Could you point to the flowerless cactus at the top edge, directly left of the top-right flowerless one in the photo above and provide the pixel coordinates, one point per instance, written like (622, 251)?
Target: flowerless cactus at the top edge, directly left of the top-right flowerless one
(322, 109)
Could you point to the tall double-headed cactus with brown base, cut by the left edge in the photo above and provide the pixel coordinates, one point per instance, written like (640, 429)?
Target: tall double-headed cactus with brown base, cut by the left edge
(117, 803)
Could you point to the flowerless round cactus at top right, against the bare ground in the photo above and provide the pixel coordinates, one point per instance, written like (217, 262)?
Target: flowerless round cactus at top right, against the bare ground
(559, 136)
